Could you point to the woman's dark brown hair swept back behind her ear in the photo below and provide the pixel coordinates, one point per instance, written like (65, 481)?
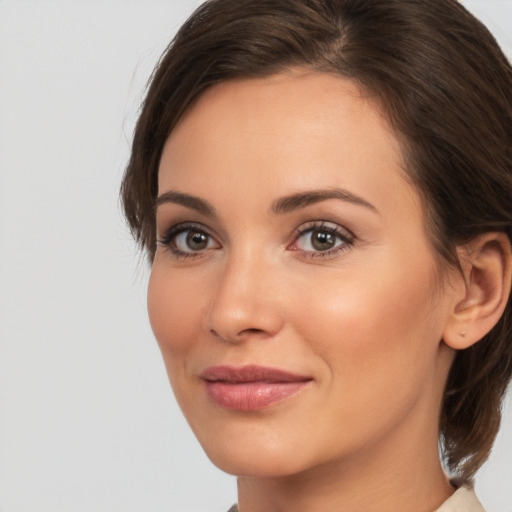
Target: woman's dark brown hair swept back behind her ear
(445, 87)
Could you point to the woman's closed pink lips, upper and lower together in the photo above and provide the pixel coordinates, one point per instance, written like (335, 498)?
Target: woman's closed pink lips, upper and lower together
(251, 388)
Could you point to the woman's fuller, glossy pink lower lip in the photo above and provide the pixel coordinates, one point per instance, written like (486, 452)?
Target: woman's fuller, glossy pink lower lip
(251, 396)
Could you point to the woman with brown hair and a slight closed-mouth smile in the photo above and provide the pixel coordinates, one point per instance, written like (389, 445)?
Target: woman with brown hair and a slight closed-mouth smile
(324, 191)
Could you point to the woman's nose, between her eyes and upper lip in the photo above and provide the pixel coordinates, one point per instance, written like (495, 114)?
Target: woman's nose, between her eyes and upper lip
(246, 301)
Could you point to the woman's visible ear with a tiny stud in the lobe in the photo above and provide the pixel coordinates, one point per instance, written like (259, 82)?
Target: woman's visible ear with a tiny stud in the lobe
(481, 291)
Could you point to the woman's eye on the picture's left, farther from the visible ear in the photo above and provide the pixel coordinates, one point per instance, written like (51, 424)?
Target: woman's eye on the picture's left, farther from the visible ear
(185, 241)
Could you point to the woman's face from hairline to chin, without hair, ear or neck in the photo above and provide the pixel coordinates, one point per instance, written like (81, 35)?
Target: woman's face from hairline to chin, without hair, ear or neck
(294, 293)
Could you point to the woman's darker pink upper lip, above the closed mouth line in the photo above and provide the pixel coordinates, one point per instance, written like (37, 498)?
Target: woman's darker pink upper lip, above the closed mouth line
(250, 373)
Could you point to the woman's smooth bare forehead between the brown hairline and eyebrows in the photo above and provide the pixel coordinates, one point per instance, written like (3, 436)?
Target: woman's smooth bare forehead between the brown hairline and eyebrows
(282, 134)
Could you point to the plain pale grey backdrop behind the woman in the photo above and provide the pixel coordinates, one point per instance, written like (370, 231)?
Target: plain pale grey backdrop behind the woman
(87, 419)
